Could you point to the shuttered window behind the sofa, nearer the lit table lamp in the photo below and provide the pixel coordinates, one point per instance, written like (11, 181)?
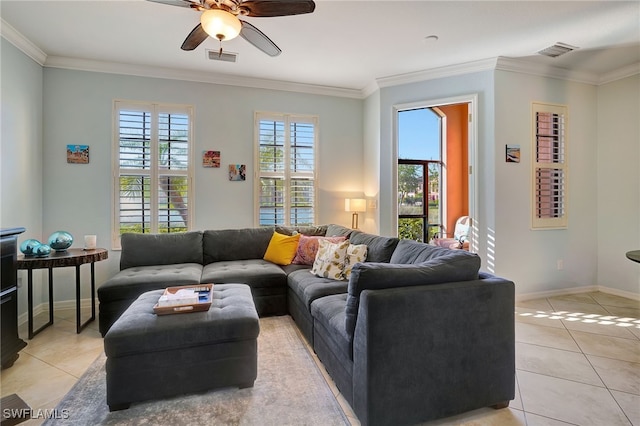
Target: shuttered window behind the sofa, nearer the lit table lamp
(286, 169)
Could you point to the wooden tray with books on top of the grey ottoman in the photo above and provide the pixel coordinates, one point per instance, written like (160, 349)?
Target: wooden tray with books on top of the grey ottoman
(184, 299)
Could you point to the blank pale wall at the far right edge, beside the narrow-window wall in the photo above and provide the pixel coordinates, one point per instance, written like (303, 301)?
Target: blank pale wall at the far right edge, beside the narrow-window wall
(618, 201)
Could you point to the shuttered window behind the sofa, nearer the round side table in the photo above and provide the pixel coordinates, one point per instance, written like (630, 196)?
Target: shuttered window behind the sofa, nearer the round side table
(152, 168)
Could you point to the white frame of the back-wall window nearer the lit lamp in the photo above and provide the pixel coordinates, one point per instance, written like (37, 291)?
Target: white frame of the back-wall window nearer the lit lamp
(286, 175)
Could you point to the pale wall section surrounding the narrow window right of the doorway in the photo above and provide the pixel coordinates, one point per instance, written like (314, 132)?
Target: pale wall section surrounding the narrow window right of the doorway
(529, 257)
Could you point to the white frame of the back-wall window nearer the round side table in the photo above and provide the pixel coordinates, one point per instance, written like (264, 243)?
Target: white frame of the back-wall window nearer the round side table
(154, 172)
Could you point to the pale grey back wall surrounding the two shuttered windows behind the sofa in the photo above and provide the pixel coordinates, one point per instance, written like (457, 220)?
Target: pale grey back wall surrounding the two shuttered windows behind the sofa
(78, 110)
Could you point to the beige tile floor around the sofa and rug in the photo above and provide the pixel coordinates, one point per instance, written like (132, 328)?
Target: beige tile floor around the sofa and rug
(577, 363)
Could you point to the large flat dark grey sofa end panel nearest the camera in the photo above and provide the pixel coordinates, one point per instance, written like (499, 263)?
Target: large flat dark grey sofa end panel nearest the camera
(428, 352)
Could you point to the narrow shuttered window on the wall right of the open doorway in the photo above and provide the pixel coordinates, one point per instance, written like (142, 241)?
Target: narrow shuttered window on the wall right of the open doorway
(549, 166)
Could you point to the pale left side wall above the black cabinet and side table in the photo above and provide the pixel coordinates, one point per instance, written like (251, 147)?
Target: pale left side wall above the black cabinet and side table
(21, 150)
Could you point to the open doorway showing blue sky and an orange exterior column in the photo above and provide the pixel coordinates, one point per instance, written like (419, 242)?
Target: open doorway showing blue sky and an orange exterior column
(435, 153)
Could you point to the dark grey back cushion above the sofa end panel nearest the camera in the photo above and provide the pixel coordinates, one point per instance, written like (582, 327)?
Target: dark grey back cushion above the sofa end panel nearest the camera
(456, 265)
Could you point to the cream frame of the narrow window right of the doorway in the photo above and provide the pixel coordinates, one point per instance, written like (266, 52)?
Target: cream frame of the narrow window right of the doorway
(561, 165)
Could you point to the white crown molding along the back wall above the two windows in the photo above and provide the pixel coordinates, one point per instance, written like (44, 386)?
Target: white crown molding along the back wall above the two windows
(196, 76)
